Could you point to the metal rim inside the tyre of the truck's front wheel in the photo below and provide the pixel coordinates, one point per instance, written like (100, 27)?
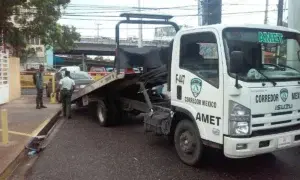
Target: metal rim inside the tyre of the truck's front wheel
(187, 143)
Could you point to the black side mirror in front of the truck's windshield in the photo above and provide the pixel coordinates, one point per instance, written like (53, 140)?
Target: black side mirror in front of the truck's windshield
(236, 61)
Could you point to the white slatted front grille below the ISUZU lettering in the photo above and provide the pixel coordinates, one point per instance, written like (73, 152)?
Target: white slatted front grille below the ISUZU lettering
(273, 121)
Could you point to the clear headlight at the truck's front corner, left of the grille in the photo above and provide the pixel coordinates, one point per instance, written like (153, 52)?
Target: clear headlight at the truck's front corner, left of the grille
(239, 119)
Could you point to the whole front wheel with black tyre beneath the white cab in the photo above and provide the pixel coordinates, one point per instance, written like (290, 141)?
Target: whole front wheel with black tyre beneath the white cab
(188, 143)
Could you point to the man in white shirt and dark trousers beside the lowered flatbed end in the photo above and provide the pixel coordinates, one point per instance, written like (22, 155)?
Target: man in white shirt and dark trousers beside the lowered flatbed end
(67, 86)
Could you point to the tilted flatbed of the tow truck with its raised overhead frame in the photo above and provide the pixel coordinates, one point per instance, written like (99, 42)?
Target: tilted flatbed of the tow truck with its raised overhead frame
(124, 80)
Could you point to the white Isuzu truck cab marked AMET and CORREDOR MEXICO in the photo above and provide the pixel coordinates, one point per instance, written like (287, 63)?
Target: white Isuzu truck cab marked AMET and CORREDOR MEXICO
(238, 101)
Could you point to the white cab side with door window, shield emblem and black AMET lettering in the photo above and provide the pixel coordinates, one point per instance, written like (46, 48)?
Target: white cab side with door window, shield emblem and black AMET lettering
(197, 81)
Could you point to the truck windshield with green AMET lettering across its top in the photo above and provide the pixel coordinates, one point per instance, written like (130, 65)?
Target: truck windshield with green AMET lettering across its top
(266, 52)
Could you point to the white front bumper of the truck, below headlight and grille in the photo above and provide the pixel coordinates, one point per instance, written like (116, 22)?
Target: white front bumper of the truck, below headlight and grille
(261, 144)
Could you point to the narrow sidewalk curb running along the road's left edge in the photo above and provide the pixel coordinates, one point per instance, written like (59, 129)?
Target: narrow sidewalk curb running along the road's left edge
(45, 130)
